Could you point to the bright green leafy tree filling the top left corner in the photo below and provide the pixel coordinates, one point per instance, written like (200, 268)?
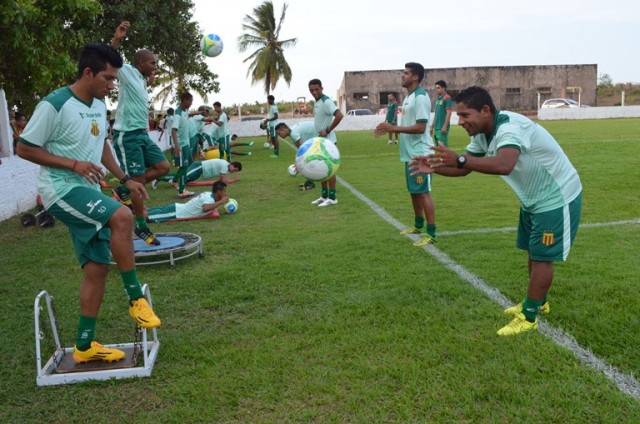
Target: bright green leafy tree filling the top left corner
(38, 50)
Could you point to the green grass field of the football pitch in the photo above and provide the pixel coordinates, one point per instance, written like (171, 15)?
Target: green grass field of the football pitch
(301, 314)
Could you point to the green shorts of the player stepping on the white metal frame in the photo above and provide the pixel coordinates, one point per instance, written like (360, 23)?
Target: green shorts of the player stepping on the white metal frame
(85, 211)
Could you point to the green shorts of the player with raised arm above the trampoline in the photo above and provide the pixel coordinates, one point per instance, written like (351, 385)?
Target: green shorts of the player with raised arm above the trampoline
(135, 151)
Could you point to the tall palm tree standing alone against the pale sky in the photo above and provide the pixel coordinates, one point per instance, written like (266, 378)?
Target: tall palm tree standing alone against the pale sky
(268, 63)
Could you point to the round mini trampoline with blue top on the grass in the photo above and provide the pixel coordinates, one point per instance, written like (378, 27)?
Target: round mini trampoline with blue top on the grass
(173, 247)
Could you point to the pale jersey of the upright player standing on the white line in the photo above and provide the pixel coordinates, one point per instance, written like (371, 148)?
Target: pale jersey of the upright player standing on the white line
(415, 108)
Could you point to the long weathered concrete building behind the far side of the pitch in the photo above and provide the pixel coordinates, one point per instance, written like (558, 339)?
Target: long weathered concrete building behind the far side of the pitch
(512, 87)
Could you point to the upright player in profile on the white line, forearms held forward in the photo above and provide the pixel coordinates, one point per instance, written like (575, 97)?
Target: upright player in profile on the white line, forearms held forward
(415, 141)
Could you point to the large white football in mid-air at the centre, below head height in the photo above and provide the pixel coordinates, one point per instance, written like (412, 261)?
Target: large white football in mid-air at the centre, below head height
(318, 159)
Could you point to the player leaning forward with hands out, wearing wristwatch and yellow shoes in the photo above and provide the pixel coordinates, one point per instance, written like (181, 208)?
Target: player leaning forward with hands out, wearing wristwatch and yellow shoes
(534, 165)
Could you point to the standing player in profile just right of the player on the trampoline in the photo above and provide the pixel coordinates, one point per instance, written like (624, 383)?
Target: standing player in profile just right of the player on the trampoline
(181, 148)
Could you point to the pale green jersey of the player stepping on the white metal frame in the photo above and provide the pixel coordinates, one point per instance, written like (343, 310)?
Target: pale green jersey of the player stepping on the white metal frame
(66, 126)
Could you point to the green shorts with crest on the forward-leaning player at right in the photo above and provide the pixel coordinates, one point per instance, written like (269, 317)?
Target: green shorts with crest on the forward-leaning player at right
(548, 236)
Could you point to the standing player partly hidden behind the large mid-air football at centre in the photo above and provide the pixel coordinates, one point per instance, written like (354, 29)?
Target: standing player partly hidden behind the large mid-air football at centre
(326, 119)
